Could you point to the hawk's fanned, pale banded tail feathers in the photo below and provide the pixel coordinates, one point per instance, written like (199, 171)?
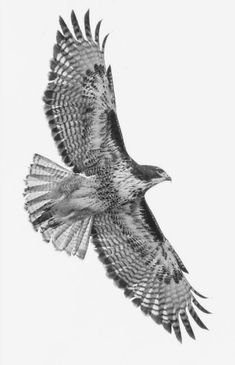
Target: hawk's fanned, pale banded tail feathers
(71, 236)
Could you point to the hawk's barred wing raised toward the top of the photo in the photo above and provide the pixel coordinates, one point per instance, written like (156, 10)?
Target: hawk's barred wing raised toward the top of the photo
(80, 101)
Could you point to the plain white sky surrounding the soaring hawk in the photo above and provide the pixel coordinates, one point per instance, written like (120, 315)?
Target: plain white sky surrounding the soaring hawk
(173, 66)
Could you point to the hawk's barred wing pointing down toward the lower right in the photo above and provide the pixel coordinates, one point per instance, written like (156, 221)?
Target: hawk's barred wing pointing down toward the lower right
(141, 260)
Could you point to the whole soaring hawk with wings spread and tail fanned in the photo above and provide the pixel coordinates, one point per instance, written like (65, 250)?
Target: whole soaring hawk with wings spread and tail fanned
(101, 198)
